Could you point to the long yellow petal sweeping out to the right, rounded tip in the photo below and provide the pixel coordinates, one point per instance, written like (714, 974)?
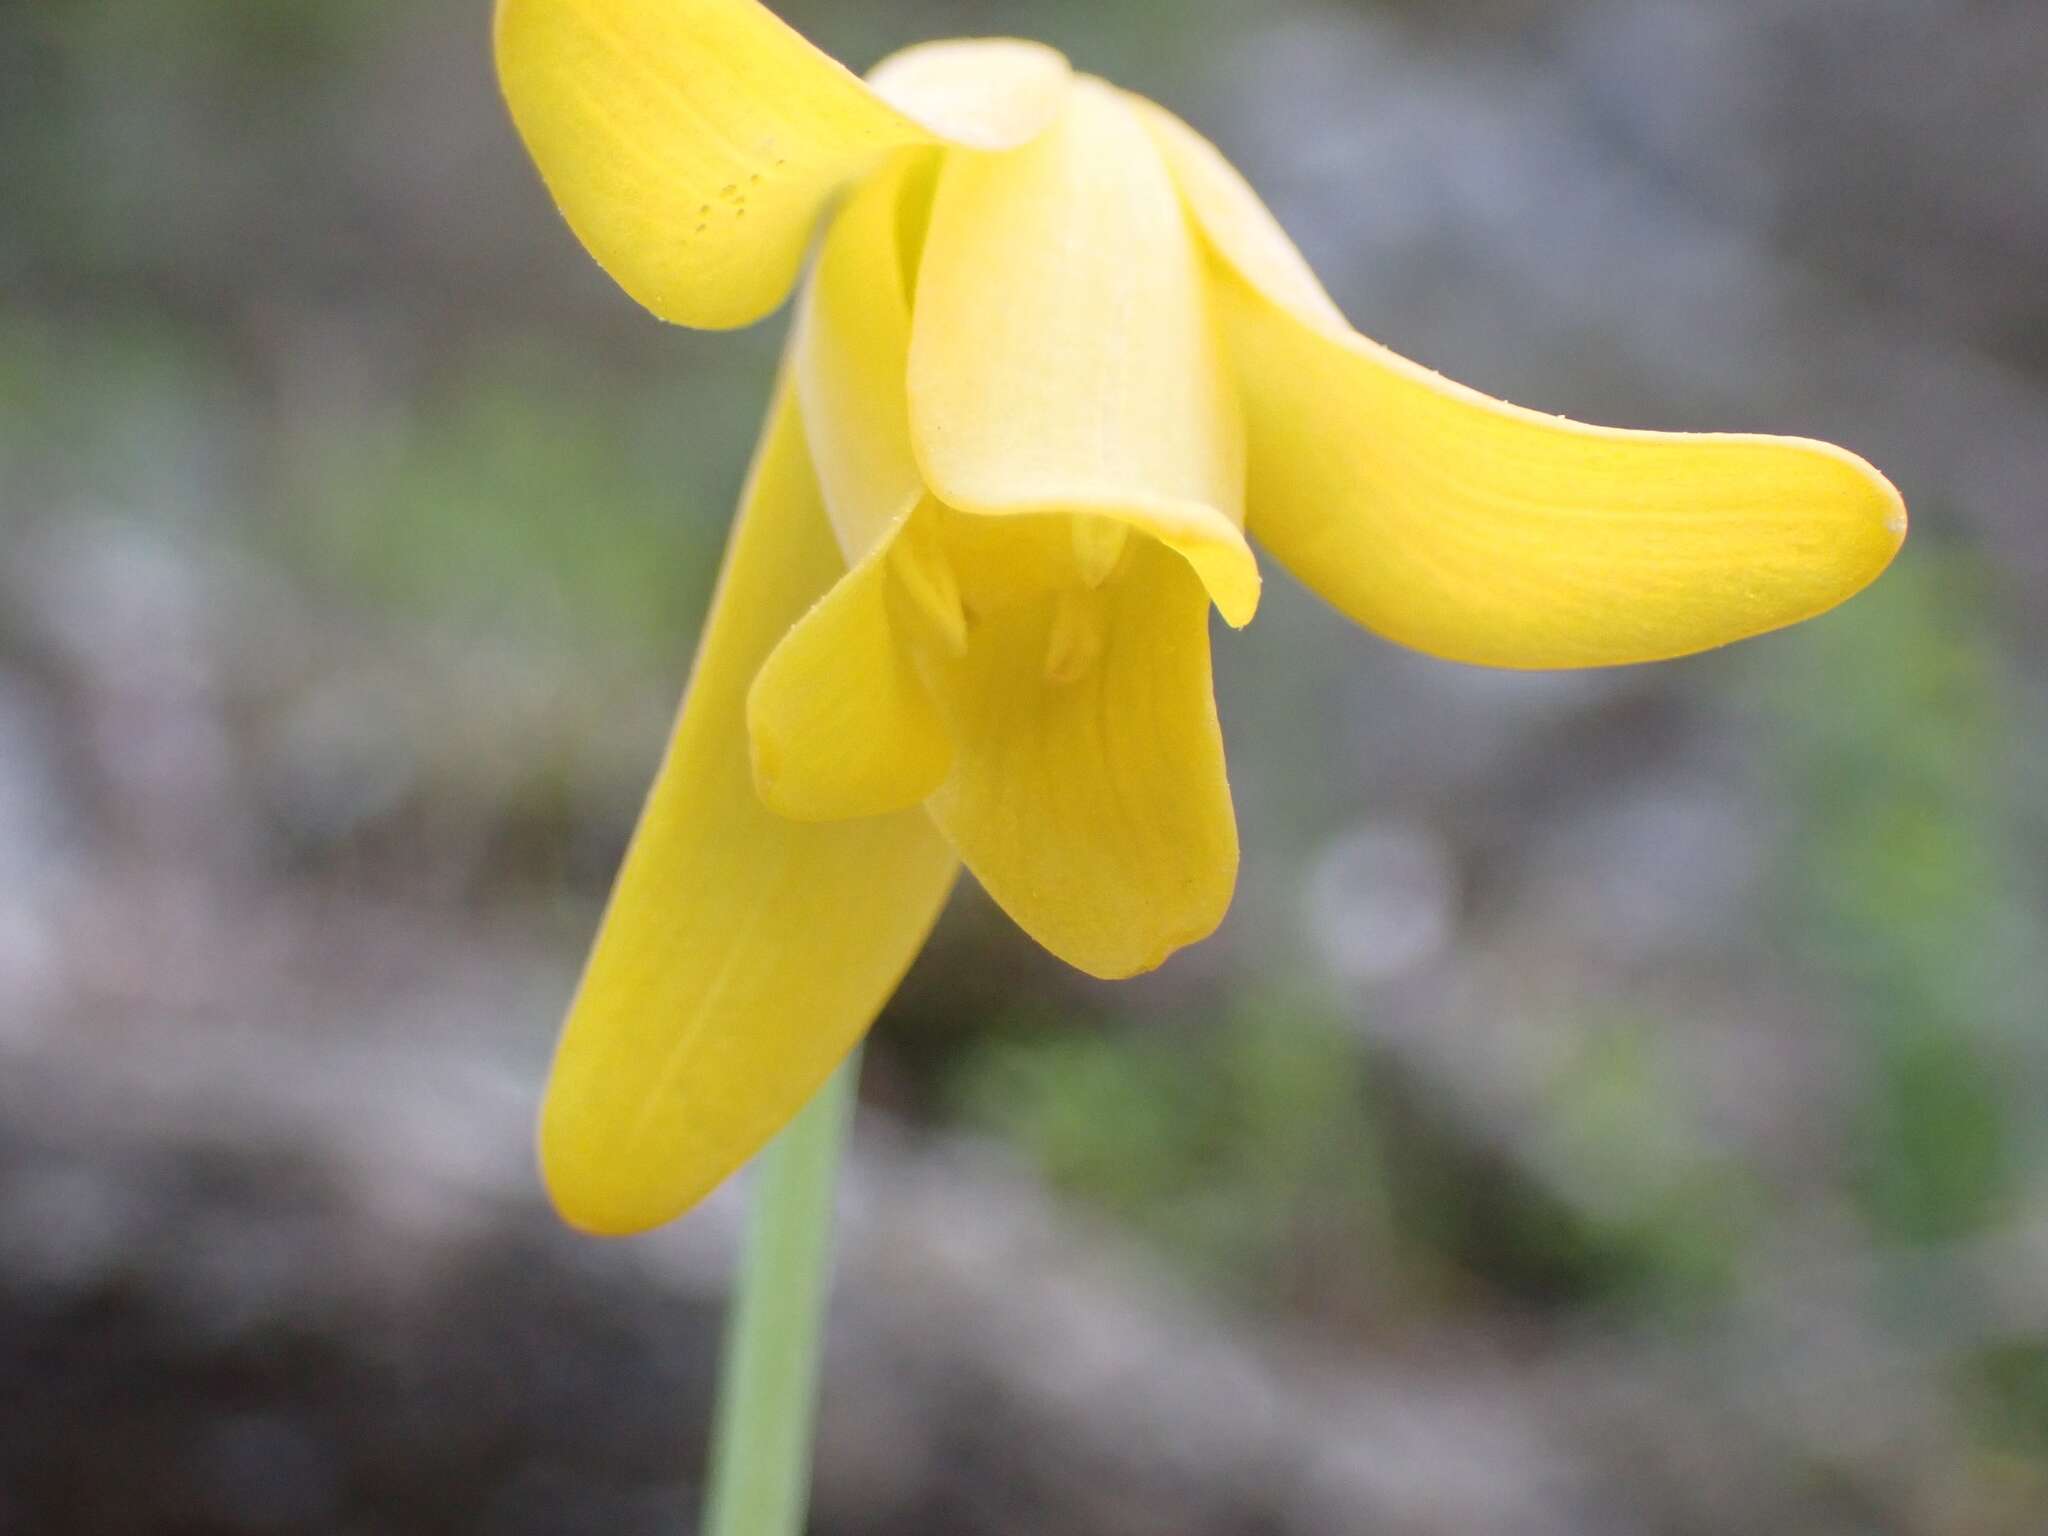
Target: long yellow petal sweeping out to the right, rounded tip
(1492, 534)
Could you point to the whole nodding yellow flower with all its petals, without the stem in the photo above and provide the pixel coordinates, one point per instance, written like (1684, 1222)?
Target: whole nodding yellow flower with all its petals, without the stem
(1052, 366)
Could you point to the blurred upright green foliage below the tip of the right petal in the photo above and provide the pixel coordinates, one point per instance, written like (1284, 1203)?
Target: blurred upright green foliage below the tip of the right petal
(1893, 744)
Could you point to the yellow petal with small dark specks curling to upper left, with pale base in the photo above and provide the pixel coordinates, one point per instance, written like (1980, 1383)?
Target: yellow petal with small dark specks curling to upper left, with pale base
(691, 144)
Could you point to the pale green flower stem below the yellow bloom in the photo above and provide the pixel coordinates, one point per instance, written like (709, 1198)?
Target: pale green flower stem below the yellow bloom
(761, 1435)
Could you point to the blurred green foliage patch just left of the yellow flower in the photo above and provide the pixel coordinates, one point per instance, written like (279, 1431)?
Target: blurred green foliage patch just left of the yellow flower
(534, 501)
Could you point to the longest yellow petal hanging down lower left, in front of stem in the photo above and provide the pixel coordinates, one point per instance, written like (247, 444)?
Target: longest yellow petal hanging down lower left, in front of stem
(742, 955)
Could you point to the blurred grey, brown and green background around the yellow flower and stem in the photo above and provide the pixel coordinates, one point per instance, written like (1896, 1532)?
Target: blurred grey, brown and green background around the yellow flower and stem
(1615, 1105)
